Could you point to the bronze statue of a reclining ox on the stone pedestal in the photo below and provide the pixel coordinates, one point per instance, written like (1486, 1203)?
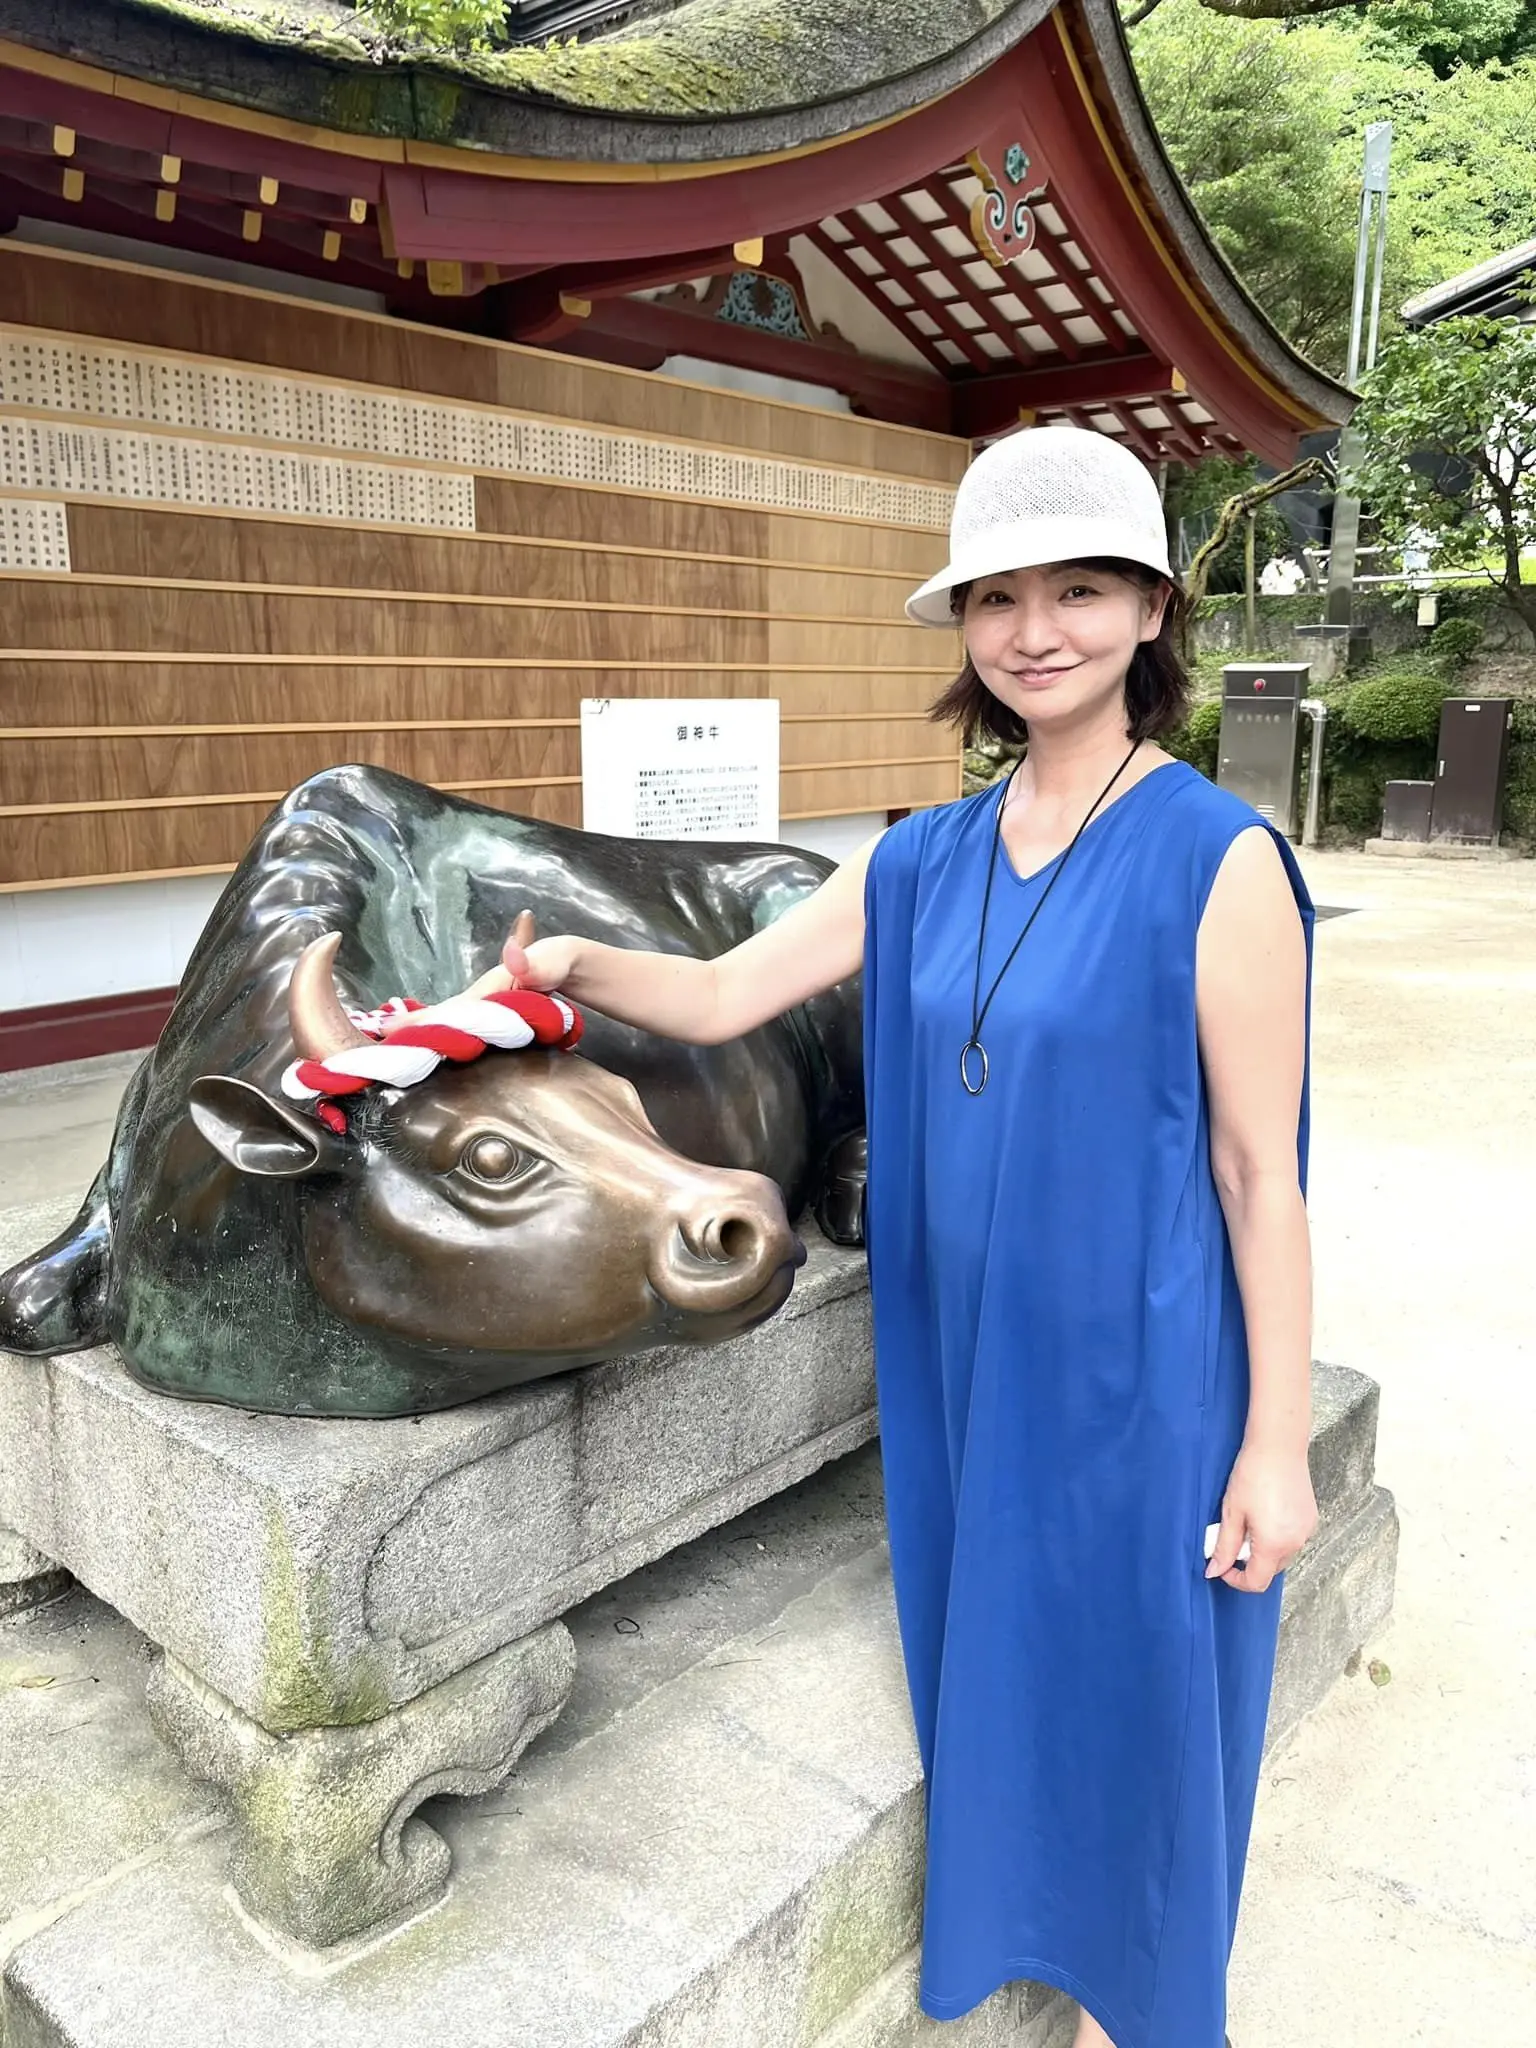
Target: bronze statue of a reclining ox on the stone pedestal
(499, 1222)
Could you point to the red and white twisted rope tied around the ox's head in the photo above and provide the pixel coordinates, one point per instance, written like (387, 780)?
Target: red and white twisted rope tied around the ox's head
(460, 1031)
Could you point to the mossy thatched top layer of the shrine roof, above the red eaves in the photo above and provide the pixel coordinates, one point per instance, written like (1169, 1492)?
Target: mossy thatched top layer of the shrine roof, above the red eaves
(773, 73)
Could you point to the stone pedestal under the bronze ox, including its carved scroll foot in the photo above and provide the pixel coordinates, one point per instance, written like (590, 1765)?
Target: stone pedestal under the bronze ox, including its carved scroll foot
(361, 1615)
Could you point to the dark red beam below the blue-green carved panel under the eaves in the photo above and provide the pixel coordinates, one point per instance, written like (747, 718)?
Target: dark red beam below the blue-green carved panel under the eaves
(642, 335)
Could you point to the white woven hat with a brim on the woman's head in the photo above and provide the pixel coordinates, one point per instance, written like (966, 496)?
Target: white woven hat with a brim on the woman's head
(1046, 495)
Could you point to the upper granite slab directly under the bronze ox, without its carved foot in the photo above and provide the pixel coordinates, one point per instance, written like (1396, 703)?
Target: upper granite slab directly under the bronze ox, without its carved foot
(318, 1574)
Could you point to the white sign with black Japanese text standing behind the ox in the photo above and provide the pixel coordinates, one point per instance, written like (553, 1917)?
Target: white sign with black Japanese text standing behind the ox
(681, 769)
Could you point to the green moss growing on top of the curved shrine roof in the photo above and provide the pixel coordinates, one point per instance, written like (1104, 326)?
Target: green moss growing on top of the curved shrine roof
(706, 58)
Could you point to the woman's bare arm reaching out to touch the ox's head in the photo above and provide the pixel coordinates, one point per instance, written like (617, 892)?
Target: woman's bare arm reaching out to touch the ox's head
(706, 1002)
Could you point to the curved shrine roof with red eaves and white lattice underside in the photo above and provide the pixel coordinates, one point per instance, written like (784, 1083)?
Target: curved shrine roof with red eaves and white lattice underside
(976, 185)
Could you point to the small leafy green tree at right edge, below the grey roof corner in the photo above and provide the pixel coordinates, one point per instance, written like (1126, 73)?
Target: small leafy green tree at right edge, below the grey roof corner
(1449, 423)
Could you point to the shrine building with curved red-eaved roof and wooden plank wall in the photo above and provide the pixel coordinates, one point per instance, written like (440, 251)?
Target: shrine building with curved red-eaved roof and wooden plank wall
(366, 407)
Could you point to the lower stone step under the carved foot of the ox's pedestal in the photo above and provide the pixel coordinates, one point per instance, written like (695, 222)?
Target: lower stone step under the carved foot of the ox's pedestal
(720, 1844)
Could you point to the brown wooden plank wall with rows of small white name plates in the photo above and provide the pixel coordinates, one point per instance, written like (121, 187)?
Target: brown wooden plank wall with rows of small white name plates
(200, 658)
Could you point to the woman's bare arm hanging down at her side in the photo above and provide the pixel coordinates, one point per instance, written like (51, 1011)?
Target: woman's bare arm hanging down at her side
(1252, 1019)
